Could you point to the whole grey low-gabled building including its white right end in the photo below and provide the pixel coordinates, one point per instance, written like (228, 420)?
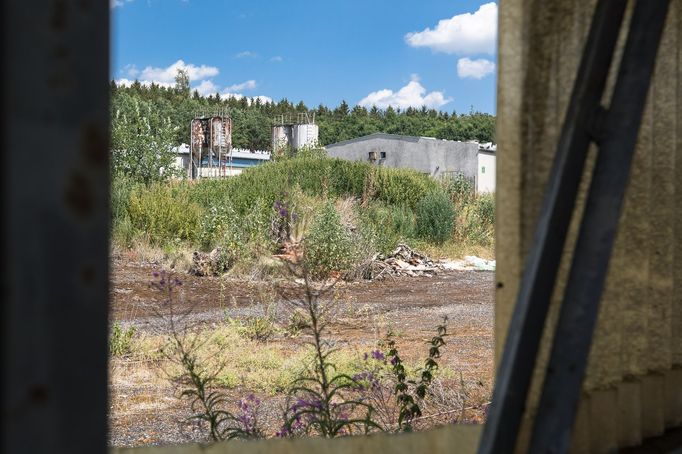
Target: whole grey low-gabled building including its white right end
(434, 157)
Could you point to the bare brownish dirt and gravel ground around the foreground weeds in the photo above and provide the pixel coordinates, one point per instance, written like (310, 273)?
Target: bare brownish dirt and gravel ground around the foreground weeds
(145, 408)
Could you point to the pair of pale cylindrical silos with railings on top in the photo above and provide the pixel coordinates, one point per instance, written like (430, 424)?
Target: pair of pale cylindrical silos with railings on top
(294, 134)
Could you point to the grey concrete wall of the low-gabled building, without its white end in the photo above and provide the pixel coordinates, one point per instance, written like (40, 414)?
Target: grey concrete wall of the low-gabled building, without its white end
(429, 156)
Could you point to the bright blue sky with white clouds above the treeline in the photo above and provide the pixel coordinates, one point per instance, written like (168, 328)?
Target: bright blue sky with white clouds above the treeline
(370, 52)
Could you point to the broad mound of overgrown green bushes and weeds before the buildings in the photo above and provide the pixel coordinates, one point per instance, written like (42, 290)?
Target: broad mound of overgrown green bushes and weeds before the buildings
(342, 212)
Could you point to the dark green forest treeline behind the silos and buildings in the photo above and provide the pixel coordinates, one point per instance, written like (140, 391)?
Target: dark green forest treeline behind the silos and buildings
(252, 118)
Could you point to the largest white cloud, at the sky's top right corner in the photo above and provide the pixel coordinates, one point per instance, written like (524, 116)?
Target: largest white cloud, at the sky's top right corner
(463, 34)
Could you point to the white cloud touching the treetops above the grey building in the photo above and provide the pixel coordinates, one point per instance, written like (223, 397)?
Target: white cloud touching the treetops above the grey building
(411, 95)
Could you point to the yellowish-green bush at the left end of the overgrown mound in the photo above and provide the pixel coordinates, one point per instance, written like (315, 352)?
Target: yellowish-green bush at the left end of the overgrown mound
(164, 213)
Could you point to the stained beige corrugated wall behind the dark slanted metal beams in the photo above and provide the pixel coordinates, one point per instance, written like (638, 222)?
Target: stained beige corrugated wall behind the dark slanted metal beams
(633, 387)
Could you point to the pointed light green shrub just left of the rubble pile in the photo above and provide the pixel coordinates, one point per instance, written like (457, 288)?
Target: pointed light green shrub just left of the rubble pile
(328, 246)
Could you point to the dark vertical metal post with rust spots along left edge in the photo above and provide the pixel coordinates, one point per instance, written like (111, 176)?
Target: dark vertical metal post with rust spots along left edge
(55, 225)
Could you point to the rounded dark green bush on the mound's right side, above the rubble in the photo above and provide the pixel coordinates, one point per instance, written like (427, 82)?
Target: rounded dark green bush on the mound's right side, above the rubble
(435, 217)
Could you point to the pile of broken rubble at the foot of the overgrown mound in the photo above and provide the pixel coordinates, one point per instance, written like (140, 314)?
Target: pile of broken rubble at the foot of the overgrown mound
(403, 261)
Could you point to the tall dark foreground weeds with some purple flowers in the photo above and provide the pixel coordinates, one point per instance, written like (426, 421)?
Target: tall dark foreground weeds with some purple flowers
(321, 401)
